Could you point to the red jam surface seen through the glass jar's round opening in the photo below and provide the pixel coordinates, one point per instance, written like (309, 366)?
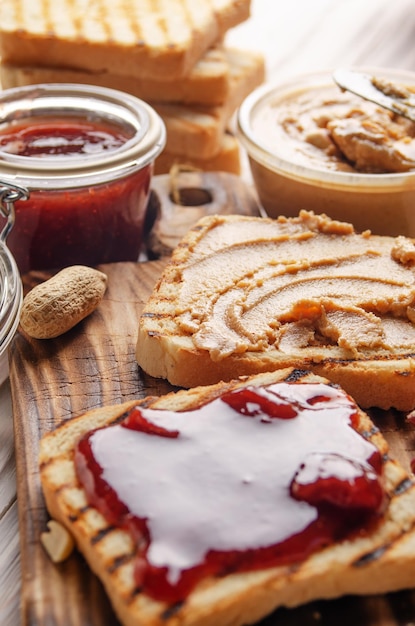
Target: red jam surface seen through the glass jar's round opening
(60, 138)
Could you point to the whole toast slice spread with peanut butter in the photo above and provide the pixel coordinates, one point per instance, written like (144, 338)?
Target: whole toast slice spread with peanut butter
(243, 295)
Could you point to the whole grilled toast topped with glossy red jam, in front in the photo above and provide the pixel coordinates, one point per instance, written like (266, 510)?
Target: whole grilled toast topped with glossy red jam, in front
(152, 491)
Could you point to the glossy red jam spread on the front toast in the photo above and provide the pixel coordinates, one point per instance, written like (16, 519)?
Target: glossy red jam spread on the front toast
(257, 478)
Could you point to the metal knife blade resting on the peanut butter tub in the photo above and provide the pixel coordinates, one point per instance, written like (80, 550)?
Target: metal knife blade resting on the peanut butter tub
(384, 92)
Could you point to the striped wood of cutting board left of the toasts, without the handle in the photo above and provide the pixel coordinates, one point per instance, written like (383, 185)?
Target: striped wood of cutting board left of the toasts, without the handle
(52, 381)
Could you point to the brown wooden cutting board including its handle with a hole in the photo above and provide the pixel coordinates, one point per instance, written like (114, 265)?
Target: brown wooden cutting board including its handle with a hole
(92, 365)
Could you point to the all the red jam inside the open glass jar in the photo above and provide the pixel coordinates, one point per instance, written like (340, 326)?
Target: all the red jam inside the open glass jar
(87, 224)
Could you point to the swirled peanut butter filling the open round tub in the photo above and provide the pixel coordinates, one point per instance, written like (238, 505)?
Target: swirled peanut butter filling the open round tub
(337, 131)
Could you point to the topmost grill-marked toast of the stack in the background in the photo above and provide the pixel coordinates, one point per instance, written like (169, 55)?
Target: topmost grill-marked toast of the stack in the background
(140, 38)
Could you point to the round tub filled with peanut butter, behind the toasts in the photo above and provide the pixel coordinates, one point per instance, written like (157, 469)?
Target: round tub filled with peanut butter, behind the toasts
(311, 146)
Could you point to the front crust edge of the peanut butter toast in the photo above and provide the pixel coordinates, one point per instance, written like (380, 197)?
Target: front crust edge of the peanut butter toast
(384, 383)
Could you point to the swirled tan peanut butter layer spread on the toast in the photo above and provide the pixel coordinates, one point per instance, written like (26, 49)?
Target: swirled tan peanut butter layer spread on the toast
(296, 285)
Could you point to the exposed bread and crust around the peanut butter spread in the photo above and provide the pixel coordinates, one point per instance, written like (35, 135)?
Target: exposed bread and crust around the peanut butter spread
(375, 377)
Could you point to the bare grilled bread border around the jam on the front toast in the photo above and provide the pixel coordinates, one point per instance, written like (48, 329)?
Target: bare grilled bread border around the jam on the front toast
(376, 559)
